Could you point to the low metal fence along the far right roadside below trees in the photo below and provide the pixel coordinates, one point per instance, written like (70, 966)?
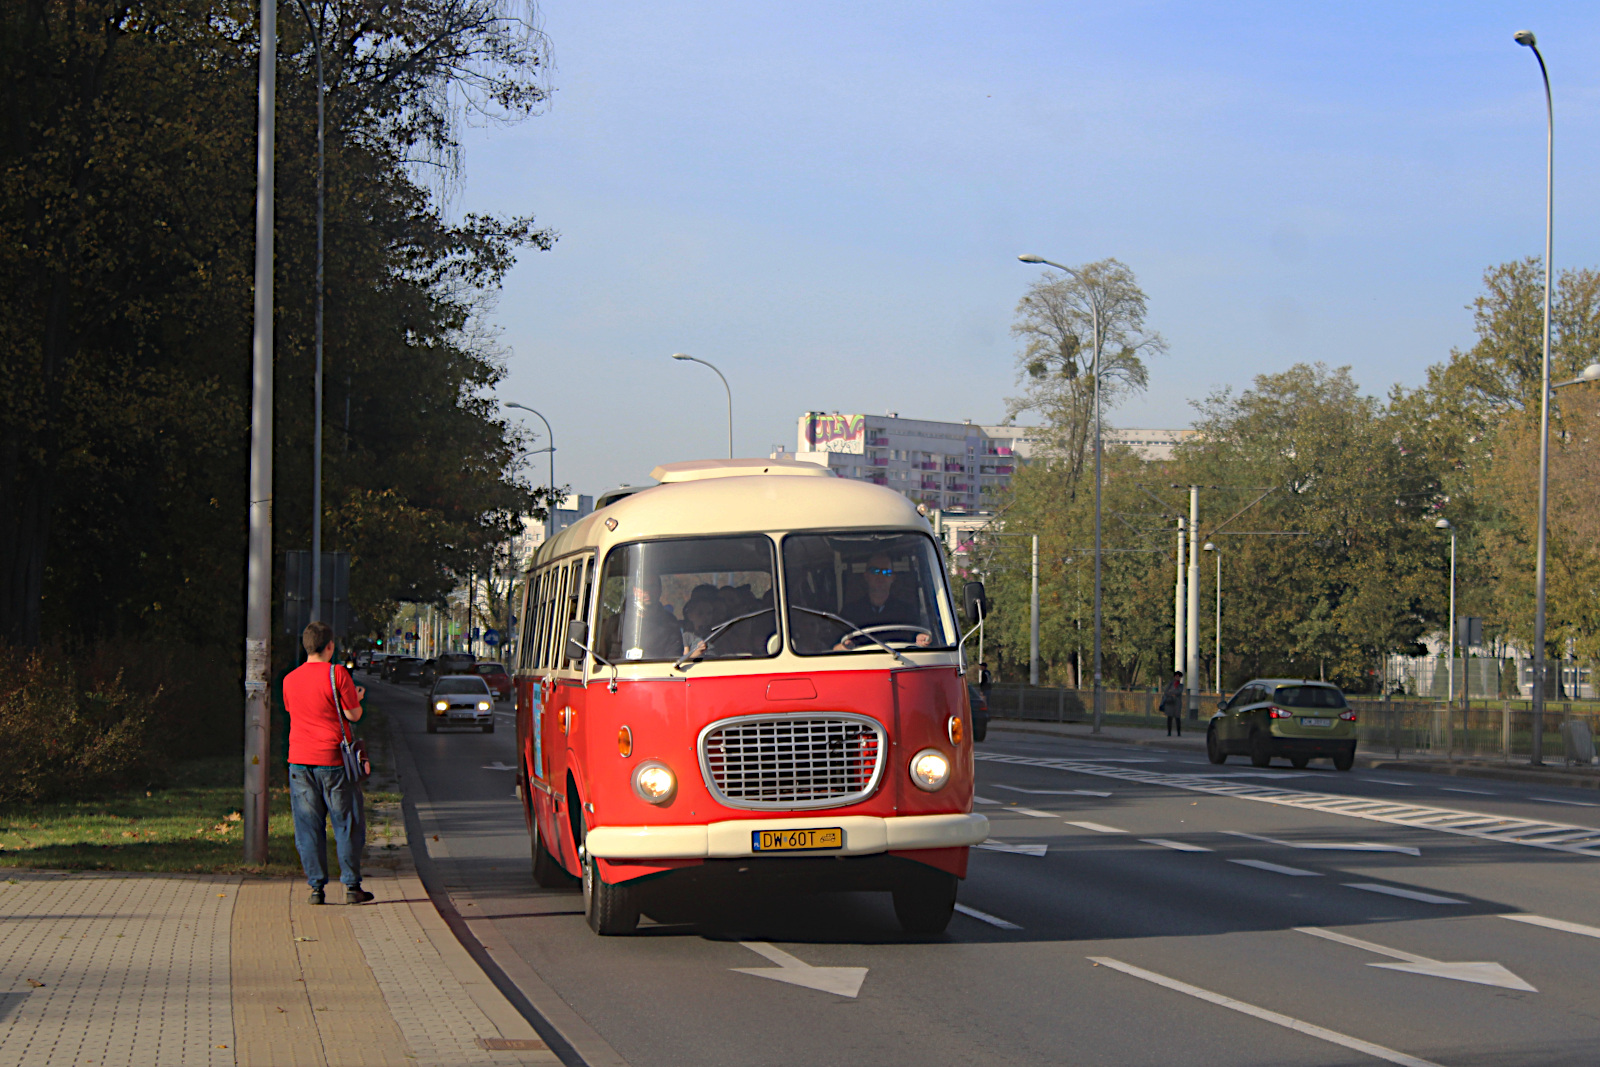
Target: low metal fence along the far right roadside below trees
(1487, 730)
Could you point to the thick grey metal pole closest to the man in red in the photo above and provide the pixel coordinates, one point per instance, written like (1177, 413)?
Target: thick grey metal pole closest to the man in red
(258, 569)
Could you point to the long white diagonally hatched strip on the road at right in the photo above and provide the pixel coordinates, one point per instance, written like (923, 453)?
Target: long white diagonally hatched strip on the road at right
(1554, 836)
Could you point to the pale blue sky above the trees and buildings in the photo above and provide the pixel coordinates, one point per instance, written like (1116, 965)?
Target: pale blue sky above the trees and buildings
(828, 201)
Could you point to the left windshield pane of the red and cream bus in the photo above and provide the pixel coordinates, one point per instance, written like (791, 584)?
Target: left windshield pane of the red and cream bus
(673, 599)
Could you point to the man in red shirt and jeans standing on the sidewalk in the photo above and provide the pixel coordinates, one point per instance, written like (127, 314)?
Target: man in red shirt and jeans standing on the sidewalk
(319, 789)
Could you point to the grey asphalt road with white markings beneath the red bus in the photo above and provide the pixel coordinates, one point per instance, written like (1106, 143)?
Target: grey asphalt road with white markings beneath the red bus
(1140, 917)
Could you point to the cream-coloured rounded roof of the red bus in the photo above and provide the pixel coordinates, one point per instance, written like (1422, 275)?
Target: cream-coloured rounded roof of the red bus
(711, 498)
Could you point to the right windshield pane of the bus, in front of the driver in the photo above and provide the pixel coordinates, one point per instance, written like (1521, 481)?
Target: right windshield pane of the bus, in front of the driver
(844, 588)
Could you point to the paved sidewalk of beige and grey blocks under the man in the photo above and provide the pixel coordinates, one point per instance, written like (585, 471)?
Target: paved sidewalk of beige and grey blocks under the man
(175, 970)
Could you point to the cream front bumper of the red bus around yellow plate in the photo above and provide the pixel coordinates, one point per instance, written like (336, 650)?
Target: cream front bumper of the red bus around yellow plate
(863, 836)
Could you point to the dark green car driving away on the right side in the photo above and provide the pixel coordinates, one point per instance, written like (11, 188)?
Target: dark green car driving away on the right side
(1284, 717)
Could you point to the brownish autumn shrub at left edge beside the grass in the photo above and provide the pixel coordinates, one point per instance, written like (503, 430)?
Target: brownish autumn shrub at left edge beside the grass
(71, 729)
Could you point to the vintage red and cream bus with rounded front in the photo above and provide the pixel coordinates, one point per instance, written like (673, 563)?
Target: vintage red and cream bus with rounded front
(751, 669)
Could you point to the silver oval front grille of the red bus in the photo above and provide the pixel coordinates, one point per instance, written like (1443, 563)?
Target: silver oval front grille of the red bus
(793, 762)
